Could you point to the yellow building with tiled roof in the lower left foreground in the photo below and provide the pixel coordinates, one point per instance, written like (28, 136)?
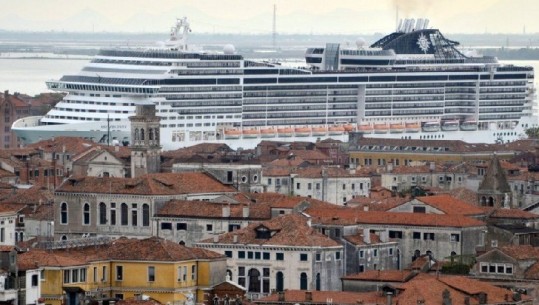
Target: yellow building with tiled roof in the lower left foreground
(126, 268)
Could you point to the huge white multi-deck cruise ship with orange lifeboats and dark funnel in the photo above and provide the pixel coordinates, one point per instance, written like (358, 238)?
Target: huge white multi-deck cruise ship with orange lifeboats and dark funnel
(413, 84)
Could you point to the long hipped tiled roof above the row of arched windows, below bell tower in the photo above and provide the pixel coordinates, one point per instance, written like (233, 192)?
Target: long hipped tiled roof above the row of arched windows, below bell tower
(151, 184)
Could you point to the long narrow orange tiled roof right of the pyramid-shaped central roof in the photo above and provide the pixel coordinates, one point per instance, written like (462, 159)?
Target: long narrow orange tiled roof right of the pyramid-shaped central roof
(353, 216)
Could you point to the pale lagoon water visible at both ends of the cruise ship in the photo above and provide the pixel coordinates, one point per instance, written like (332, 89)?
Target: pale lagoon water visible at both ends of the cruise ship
(29, 74)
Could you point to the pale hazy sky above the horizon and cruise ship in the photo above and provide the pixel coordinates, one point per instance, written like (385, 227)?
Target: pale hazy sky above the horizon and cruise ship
(256, 16)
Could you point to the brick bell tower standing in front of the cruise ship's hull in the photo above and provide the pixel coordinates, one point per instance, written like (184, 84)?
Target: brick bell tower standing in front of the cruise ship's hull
(145, 144)
